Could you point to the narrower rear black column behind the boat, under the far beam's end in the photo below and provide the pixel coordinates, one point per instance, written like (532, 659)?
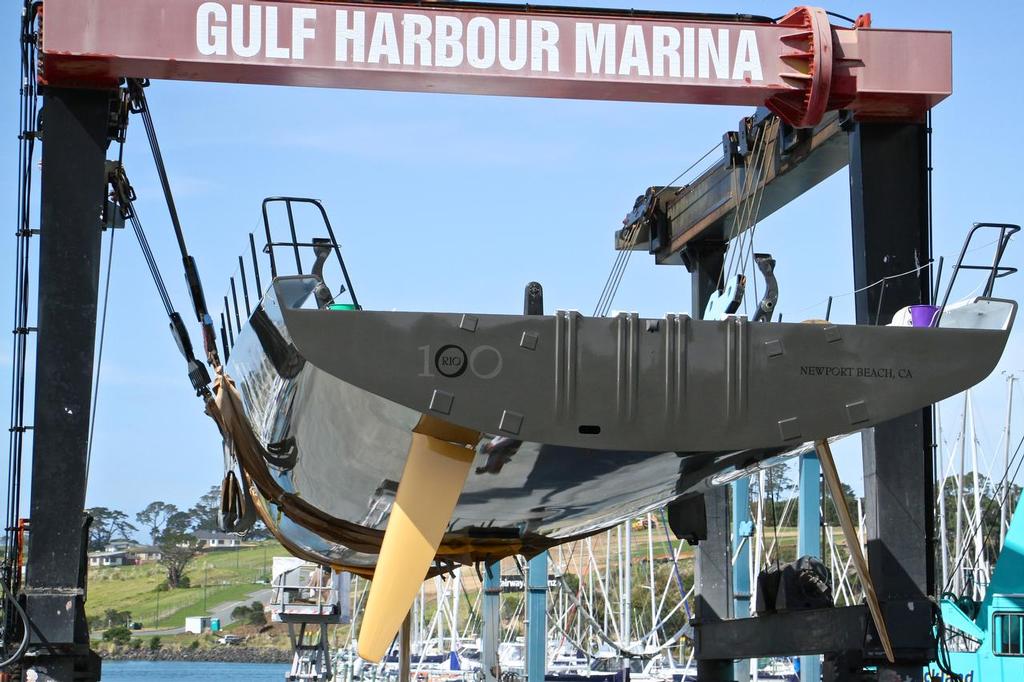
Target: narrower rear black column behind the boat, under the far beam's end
(713, 570)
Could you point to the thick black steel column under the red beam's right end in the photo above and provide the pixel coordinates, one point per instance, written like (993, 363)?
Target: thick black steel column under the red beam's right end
(889, 197)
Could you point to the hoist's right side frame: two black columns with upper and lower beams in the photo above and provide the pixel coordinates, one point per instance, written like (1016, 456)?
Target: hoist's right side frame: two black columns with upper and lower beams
(694, 226)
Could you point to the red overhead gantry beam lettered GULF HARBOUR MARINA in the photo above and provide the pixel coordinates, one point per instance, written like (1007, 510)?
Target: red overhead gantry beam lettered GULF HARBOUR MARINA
(800, 67)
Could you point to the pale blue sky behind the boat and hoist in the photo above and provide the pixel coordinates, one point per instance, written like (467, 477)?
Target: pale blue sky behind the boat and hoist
(454, 203)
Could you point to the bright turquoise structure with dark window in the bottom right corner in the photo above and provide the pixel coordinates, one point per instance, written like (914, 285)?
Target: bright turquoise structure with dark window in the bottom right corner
(986, 641)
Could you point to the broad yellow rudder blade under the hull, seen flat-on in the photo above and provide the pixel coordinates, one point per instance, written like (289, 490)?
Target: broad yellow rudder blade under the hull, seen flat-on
(432, 483)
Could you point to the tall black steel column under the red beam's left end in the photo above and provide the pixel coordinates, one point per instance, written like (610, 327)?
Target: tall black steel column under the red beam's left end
(74, 130)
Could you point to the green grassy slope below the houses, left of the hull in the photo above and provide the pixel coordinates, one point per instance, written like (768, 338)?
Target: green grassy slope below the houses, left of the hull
(228, 576)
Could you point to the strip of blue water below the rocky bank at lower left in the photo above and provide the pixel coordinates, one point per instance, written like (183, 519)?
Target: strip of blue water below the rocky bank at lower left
(167, 671)
